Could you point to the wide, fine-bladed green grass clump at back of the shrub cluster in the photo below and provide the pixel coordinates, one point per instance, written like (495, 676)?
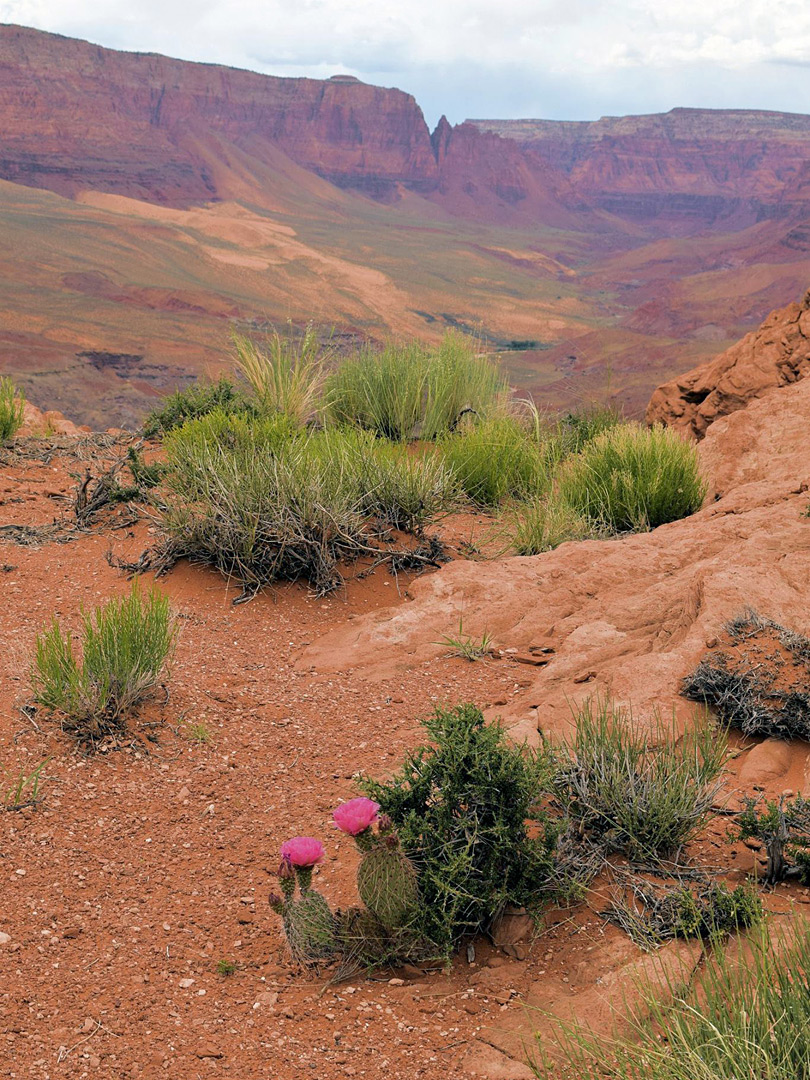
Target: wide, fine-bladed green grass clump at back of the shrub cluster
(412, 391)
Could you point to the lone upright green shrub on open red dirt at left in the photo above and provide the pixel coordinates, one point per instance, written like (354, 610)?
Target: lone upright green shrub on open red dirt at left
(127, 644)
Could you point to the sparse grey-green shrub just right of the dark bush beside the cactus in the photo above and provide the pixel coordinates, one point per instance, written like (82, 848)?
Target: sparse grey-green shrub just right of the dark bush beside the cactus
(644, 794)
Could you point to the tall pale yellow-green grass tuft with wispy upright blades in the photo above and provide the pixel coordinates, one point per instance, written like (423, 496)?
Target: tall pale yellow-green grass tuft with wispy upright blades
(287, 374)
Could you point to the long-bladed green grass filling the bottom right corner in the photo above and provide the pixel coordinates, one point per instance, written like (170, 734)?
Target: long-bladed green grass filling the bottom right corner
(748, 1018)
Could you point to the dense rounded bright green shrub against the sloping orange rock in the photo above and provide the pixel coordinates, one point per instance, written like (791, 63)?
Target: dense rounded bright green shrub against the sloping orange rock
(632, 479)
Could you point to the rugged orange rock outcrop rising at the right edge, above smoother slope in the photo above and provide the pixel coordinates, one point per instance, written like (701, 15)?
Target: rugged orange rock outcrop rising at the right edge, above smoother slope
(774, 356)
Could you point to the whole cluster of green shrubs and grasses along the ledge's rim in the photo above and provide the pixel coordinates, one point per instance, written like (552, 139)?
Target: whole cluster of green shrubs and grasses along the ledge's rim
(391, 438)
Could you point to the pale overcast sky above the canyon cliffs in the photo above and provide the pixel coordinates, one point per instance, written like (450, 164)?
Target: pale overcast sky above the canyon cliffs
(562, 60)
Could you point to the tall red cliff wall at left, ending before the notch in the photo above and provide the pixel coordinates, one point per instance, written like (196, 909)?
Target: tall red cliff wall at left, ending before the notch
(77, 116)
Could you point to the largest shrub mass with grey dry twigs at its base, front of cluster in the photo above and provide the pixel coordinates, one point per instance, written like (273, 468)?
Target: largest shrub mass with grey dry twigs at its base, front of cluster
(264, 501)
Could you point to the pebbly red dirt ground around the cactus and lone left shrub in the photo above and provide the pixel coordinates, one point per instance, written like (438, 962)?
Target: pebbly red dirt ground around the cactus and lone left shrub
(147, 865)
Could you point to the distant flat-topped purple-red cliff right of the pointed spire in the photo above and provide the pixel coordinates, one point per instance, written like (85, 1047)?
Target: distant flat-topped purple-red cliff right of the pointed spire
(694, 166)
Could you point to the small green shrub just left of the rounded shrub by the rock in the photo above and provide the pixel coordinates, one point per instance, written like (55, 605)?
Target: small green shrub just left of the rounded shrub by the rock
(494, 460)
